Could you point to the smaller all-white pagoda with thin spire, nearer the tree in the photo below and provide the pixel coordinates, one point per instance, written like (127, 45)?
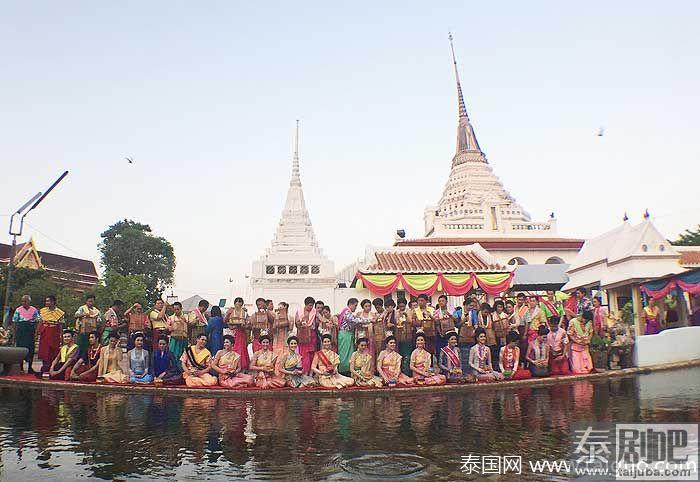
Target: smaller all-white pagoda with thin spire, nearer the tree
(294, 266)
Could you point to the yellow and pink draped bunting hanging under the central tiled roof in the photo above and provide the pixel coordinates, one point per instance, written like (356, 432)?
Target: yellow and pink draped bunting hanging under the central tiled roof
(452, 284)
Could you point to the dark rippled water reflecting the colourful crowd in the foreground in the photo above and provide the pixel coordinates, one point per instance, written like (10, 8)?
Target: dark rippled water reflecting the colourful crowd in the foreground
(57, 434)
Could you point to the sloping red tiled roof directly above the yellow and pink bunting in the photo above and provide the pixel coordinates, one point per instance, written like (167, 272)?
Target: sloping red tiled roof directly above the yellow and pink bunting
(431, 261)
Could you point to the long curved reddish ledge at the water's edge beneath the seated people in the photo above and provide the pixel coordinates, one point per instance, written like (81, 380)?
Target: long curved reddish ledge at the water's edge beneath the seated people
(328, 393)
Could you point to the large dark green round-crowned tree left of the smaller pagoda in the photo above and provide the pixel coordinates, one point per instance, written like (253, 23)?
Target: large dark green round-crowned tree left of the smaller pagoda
(129, 248)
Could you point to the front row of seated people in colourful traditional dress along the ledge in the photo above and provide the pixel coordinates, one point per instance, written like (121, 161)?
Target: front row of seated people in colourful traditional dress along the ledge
(197, 367)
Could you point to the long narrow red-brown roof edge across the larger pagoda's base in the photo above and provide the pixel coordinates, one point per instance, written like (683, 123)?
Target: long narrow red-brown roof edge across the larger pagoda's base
(497, 243)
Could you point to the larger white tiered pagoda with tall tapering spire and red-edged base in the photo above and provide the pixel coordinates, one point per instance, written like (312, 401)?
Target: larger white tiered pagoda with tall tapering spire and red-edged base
(476, 208)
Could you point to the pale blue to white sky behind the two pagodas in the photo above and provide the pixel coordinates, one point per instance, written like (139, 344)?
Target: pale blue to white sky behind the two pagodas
(204, 97)
